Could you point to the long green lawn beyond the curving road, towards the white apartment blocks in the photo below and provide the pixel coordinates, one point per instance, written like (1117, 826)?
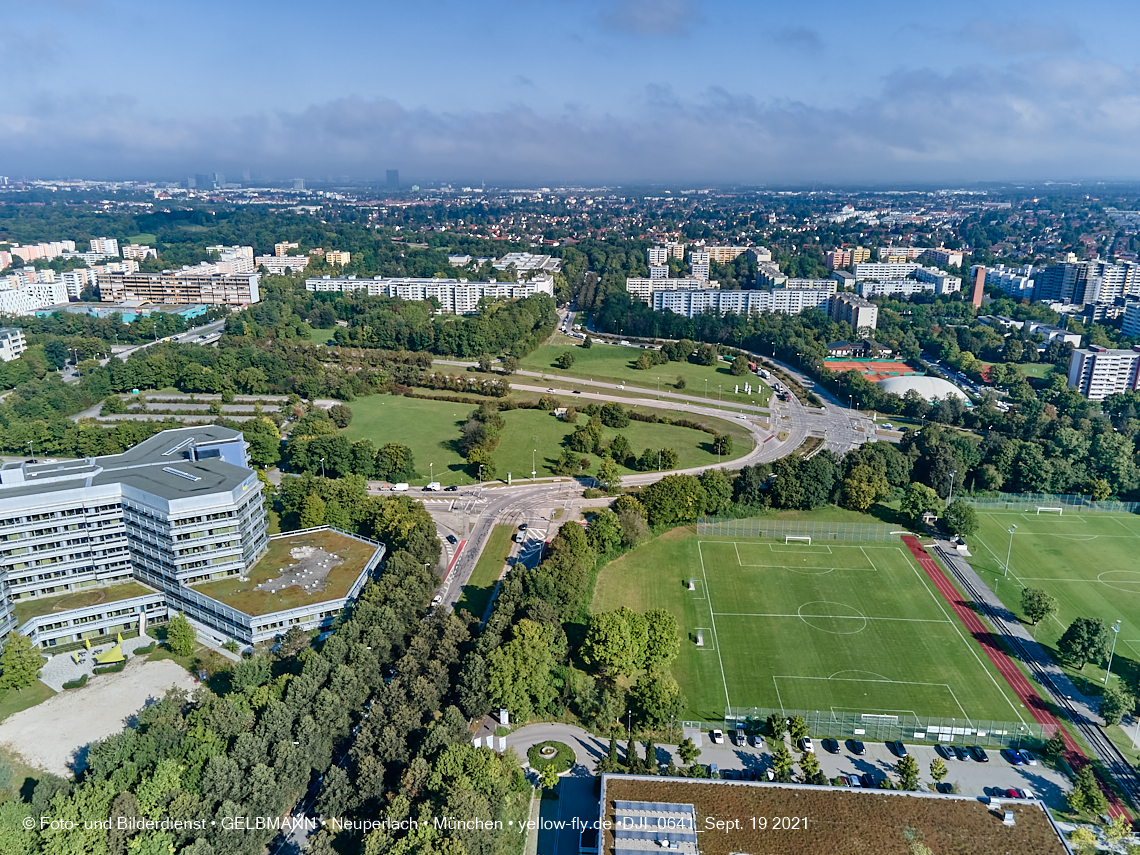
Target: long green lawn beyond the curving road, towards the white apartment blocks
(615, 363)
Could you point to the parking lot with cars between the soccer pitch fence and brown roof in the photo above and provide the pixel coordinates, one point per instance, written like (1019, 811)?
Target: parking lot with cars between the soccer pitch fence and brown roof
(972, 777)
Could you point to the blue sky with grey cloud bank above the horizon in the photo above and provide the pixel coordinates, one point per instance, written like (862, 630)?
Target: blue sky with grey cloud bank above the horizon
(573, 92)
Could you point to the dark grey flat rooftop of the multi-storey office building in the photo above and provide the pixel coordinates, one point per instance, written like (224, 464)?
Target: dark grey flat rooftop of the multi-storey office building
(165, 466)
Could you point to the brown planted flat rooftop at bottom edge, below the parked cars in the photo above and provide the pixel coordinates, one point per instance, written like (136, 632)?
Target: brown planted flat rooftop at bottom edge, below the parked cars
(838, 823)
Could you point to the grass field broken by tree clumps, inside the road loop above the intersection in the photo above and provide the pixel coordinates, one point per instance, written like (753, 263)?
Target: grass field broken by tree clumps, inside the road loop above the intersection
(431, 430)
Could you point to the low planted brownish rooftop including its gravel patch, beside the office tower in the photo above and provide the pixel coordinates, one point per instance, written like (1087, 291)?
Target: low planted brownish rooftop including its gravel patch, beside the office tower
(297, 571)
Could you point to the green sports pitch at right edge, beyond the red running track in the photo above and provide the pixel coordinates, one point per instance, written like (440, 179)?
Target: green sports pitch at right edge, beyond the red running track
(1087, 561)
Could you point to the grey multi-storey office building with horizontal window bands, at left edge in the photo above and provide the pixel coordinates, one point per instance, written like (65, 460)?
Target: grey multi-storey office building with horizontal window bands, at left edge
(178, 509)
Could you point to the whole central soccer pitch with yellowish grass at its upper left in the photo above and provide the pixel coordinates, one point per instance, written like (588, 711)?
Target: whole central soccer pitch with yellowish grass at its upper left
(828, 626)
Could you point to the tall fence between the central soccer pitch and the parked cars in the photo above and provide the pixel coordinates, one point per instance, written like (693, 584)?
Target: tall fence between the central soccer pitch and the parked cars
(878, 728)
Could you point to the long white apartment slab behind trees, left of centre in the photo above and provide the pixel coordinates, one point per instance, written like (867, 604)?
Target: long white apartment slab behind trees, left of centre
(455, 297)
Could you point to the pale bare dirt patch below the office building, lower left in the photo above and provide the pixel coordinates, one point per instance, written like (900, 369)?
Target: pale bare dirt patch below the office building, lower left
(55, 735)
